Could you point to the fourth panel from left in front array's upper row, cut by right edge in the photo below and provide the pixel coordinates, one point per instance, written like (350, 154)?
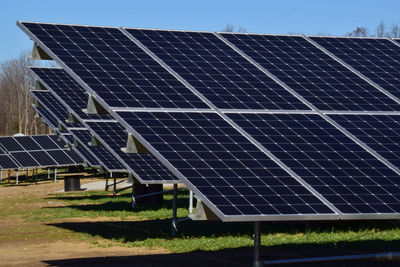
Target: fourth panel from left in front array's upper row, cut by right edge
(377, 58)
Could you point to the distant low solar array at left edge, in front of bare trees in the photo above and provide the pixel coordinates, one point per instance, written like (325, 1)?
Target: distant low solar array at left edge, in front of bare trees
(35, 151)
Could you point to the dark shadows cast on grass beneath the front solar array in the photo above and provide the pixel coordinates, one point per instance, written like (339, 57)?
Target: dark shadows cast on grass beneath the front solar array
(131, 231)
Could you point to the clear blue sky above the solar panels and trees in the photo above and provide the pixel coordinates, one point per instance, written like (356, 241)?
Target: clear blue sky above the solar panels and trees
(335, 17)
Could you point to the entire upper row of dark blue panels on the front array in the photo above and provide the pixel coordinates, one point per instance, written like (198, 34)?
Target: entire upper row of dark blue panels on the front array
(114, 65)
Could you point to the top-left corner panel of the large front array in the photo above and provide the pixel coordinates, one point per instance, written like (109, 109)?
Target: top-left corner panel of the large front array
(113, 66)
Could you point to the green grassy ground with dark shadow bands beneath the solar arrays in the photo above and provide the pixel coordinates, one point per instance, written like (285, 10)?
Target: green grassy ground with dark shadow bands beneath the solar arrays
(103, 221)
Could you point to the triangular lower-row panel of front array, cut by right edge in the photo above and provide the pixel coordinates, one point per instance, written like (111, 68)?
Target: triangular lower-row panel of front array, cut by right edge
(379, 132)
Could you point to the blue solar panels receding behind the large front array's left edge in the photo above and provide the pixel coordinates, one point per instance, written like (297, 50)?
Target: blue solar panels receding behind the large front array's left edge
(66, 95)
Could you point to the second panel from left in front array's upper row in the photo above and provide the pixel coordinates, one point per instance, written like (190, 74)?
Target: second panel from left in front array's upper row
(217, 71)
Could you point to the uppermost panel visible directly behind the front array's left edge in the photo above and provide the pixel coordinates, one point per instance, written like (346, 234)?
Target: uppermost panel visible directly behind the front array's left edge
(67, 89)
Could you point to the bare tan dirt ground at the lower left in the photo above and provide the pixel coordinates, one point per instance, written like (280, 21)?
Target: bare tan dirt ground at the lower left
(27, 243)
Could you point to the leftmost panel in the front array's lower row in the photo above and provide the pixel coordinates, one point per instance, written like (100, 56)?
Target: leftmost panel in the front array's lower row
(223, 165)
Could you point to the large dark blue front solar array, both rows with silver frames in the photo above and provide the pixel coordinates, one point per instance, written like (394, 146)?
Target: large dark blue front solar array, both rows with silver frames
(260, 127)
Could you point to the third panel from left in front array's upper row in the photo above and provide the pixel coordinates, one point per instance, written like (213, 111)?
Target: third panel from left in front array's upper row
(312, 73)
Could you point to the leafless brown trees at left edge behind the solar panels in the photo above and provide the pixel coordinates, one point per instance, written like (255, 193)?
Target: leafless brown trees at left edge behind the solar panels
(15, 100)
